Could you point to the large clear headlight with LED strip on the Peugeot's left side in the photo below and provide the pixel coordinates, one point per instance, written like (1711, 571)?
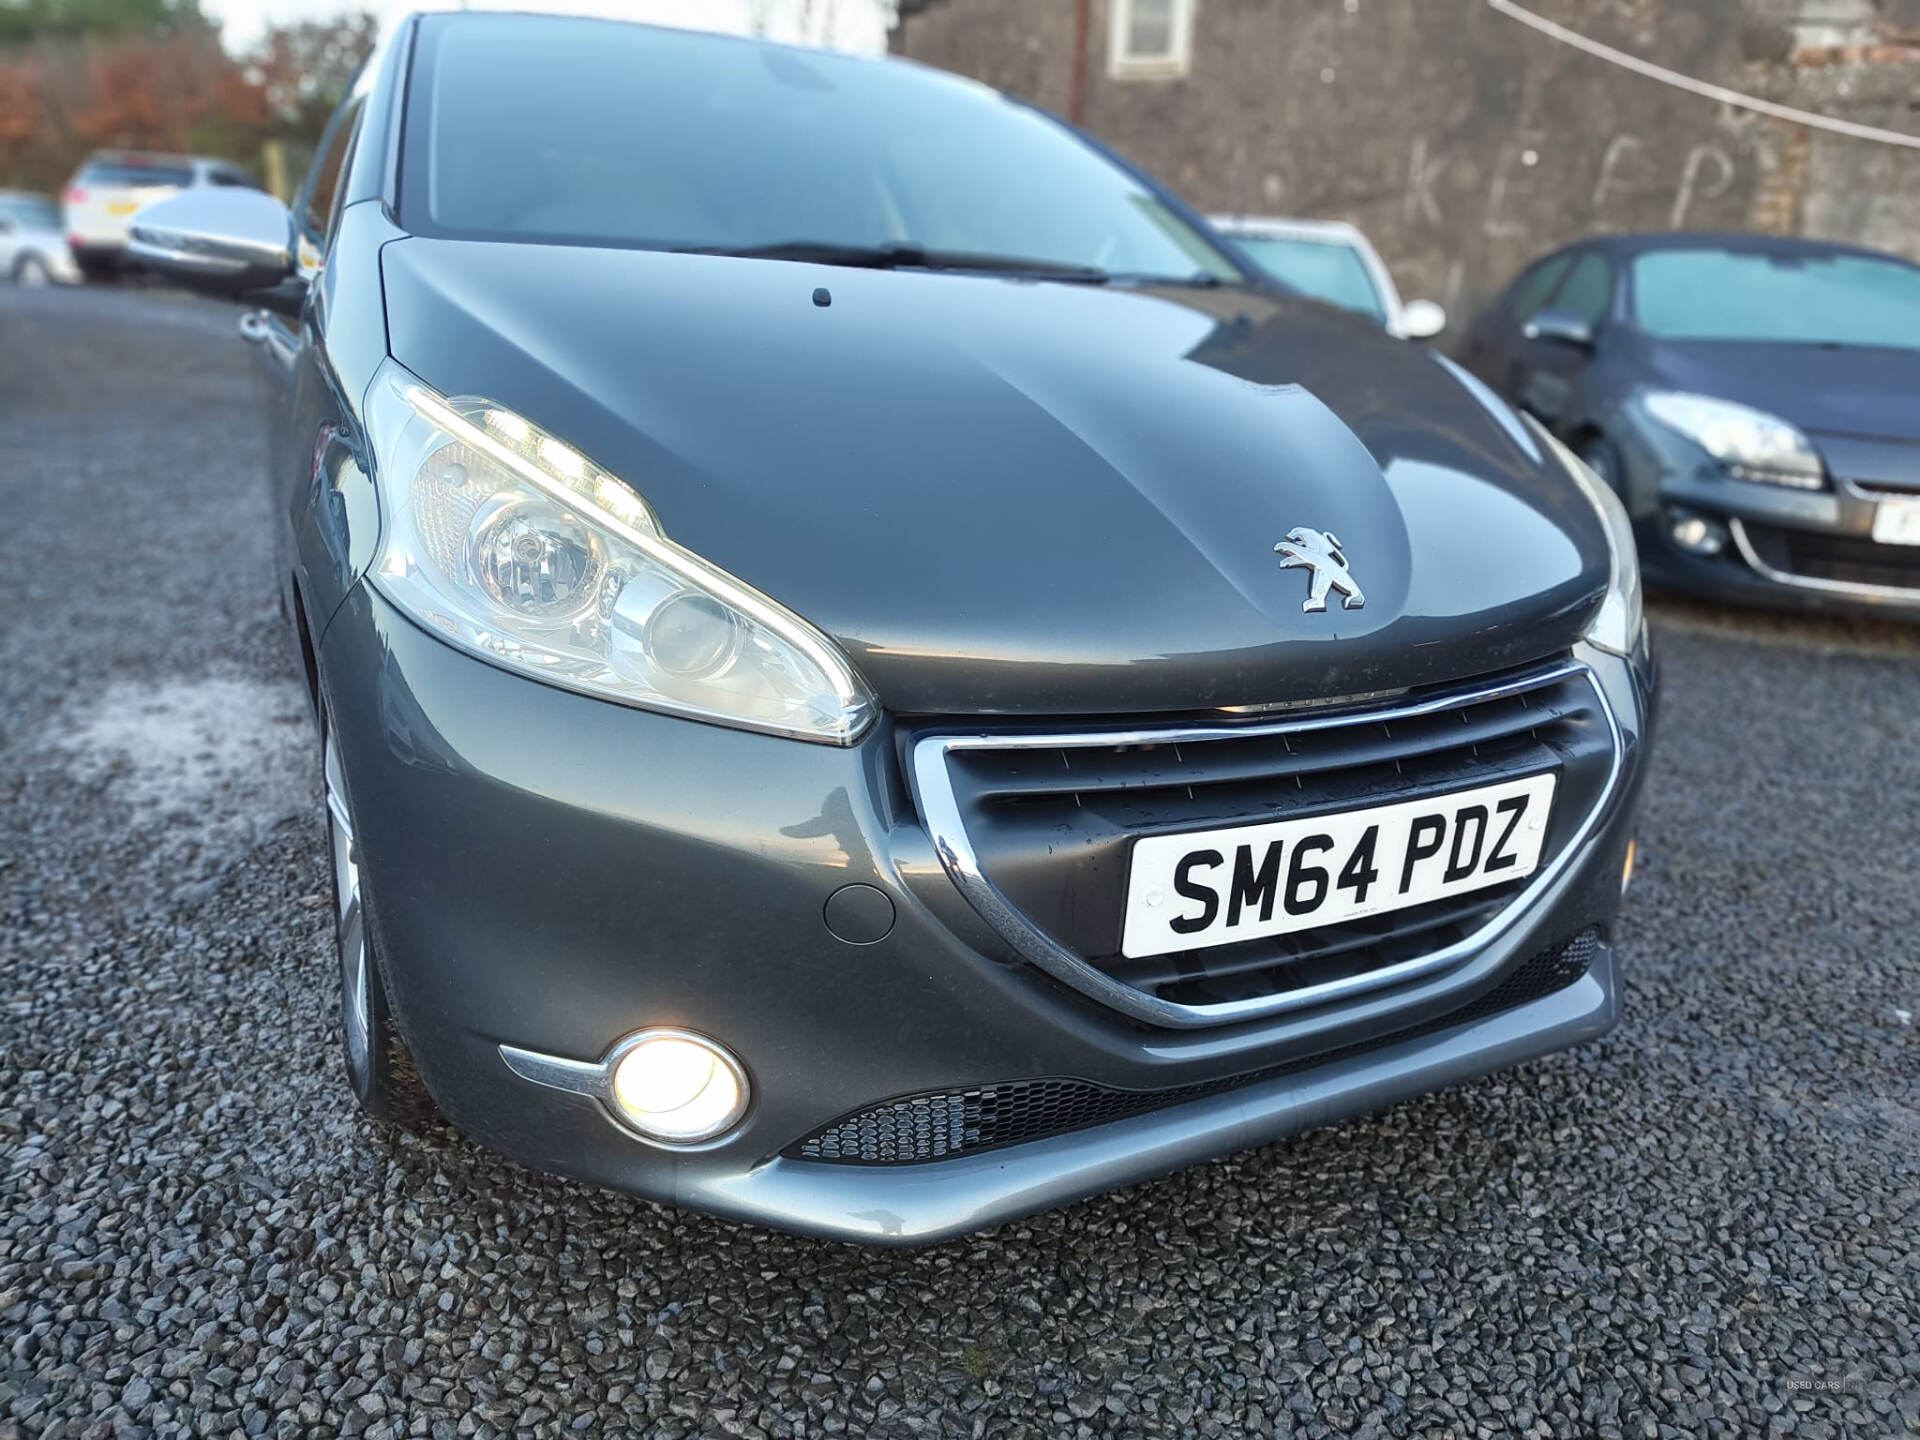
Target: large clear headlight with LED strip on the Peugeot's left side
(517, 548)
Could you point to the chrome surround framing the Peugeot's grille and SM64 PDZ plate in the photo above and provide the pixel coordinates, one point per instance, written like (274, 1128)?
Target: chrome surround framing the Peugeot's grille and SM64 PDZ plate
(940, 807)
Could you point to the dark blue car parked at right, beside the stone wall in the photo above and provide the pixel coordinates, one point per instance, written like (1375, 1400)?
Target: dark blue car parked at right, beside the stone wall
(1756, 400)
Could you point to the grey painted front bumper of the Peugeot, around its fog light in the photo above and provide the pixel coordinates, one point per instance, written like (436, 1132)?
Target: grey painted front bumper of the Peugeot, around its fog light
(552, 873)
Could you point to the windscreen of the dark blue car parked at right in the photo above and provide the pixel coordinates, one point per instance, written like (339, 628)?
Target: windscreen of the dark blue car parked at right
(1787, 299)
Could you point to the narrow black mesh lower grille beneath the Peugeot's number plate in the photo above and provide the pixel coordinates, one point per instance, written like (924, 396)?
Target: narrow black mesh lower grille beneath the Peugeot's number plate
(942, 1124)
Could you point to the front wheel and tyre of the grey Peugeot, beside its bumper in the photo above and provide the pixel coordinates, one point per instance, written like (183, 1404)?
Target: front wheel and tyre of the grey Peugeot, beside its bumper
(379, 1065)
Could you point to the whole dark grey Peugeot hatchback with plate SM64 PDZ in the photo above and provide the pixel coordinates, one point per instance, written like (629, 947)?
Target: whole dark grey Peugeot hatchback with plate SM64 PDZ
(873, 679)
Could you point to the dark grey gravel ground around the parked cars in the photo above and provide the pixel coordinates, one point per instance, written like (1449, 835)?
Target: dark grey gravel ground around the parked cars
(1656, 1236)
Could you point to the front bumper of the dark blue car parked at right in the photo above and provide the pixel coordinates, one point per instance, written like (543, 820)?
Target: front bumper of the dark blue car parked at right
(1808, 550)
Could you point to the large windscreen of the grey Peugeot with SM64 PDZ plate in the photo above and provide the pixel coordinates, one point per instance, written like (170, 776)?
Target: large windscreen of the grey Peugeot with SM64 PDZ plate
(600, 133)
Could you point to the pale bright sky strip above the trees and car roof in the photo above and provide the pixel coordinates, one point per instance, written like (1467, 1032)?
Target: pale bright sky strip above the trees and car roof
(844, 24)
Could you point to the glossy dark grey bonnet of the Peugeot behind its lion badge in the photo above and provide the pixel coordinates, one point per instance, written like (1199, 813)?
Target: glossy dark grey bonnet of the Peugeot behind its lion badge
(1011, 496)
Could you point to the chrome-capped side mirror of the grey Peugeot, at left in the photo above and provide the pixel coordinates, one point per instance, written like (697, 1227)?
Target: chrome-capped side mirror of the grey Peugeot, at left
(220, 241)
